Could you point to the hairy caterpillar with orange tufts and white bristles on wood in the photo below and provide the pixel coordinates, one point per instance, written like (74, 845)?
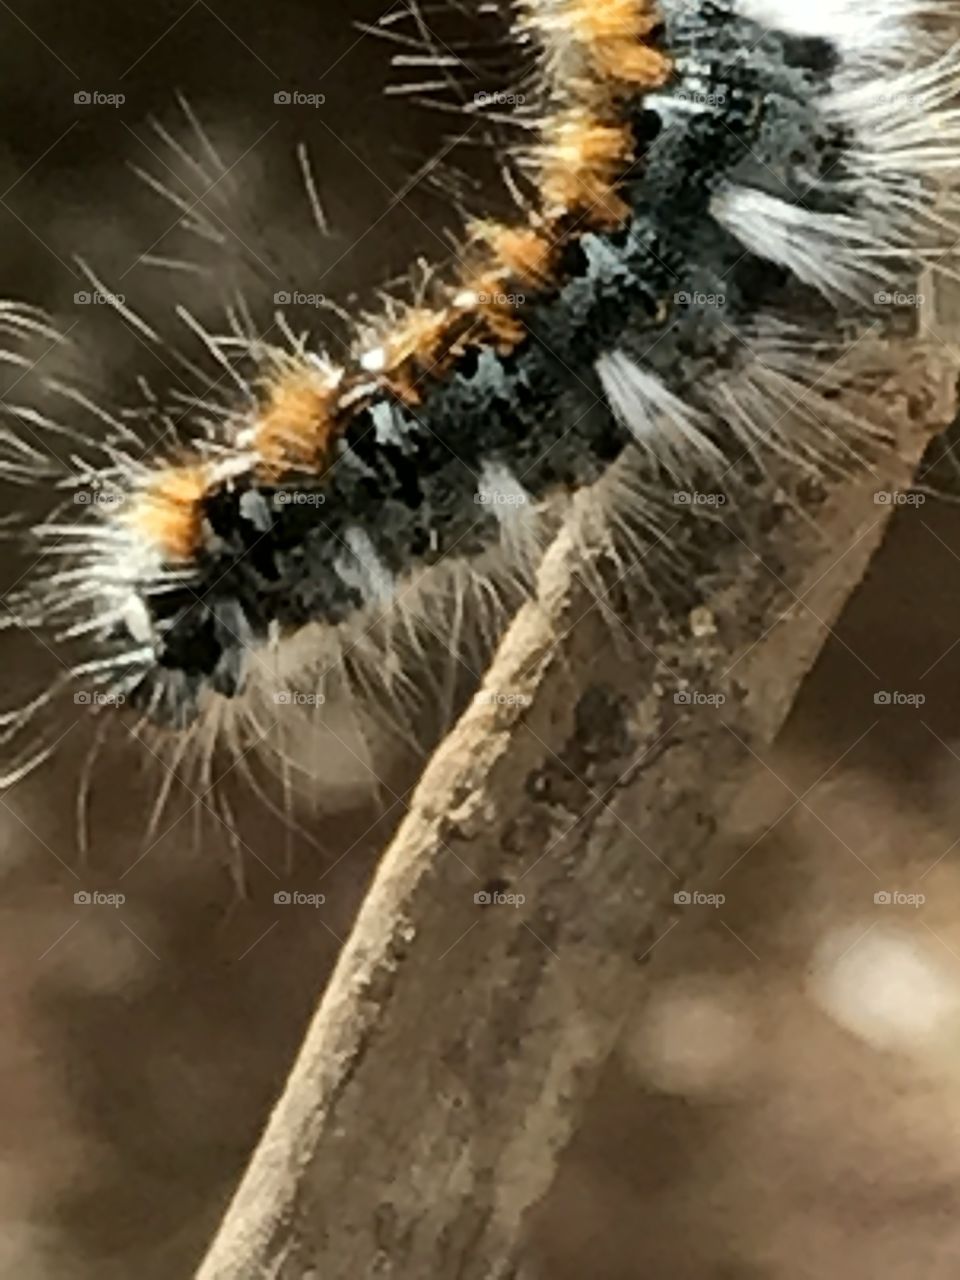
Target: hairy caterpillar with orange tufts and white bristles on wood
(720, 202)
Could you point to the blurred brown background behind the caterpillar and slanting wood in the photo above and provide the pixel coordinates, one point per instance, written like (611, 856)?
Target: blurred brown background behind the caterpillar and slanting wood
(788, 1103)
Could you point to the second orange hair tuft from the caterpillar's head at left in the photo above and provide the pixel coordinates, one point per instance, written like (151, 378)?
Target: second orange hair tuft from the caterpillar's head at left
(298, 422)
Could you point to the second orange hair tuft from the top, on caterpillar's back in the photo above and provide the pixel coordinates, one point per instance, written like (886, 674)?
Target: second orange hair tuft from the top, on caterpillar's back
(582, 166)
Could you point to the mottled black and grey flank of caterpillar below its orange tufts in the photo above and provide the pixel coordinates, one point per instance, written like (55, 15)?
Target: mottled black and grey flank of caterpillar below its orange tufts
(409, 481)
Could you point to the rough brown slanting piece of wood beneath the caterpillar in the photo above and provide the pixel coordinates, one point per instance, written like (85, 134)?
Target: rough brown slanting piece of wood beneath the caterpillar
(458, 1043)
